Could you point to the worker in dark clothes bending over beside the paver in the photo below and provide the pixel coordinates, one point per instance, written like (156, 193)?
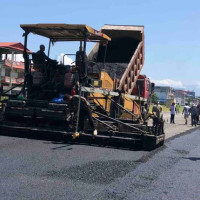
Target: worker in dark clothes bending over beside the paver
(84, 113)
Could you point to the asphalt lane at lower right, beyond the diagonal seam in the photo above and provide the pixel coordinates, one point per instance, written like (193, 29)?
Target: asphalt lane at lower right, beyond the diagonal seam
(171, 173)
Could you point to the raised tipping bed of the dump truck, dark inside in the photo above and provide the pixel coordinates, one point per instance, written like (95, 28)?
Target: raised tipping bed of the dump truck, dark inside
(124, 56)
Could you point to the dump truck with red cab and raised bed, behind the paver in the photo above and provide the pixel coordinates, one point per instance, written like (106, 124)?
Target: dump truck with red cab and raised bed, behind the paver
(123, 62)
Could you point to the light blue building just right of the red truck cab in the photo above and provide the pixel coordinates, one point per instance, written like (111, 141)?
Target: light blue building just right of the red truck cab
(164, 93)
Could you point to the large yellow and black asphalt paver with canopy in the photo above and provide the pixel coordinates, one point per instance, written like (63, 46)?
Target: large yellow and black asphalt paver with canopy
(34, 111)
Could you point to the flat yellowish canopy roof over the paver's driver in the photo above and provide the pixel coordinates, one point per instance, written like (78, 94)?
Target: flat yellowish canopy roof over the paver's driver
(65, 32)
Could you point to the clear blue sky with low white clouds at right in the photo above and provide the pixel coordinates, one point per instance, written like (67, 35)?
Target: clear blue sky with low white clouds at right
(172, 31)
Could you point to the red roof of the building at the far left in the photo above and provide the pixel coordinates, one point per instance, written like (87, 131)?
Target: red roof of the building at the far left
(9, 47)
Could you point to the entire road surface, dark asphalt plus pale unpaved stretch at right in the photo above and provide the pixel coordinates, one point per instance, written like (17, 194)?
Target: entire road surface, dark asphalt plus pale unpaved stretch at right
(39, 169)
